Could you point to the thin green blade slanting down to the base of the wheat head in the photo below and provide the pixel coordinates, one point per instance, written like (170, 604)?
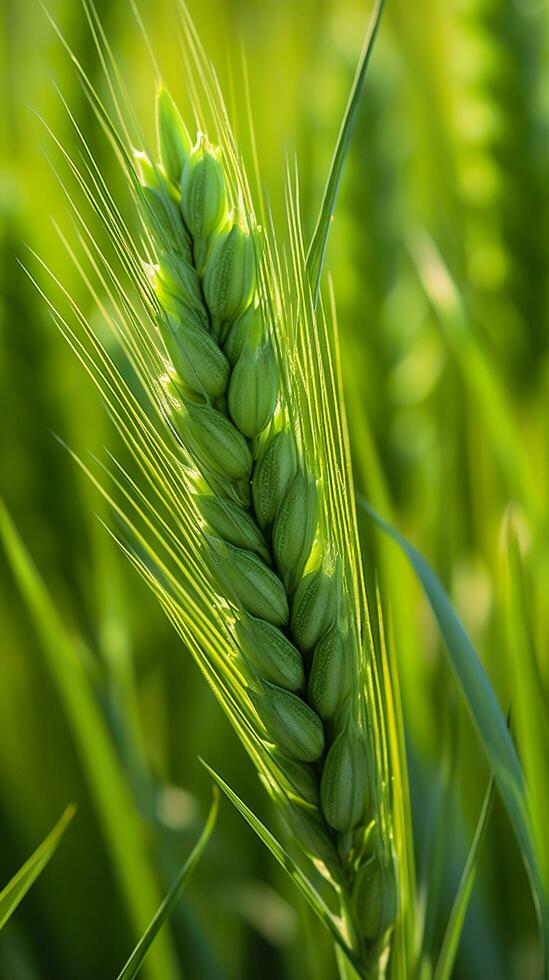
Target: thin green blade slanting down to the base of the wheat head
(285, 860)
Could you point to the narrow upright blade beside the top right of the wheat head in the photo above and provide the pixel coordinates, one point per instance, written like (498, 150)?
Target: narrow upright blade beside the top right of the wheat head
(317, 248)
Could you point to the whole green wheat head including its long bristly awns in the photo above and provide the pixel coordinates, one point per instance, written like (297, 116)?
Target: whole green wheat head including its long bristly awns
(241, 517)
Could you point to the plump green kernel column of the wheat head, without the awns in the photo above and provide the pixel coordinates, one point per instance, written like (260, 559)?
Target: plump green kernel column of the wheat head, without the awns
(260, 501)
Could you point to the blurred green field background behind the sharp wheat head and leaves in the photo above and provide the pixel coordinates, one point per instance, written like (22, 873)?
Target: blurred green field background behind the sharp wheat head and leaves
(440, 263)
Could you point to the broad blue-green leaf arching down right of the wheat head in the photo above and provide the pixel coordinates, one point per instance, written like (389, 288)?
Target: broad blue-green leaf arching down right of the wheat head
(485, 711)
